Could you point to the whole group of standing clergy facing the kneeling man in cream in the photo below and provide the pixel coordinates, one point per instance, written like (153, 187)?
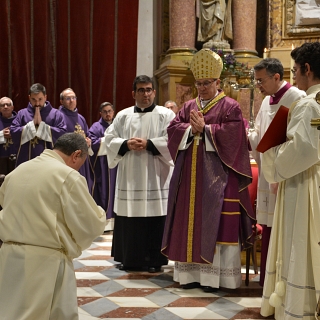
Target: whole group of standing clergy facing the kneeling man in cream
(176, 181)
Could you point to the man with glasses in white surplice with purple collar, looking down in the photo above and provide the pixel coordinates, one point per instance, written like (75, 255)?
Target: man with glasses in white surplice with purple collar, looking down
(269, 79)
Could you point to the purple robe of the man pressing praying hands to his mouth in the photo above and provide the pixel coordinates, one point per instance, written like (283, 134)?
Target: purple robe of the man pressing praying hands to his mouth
(34, 147)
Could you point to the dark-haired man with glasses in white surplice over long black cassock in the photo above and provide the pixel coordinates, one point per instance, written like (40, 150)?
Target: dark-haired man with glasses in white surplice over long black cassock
(136, 141)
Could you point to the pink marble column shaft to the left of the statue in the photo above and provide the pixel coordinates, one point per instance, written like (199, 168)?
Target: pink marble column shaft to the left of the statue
(182, 26)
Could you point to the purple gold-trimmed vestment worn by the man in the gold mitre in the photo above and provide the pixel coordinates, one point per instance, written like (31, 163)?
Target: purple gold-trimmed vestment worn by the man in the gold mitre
(208, 201)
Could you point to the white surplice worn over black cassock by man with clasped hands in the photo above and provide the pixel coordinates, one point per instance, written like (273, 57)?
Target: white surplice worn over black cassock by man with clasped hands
(143, 179)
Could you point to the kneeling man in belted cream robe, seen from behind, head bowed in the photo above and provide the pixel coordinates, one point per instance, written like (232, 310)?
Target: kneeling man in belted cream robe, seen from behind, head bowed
(54, 219)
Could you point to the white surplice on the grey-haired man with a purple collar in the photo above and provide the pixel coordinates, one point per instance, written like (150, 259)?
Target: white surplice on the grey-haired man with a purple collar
(266, 195)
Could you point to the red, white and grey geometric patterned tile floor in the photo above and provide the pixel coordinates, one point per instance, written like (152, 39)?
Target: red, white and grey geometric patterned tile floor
(104, 292)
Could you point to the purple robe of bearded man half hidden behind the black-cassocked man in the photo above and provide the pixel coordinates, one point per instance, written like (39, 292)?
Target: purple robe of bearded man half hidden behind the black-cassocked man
(105, 178)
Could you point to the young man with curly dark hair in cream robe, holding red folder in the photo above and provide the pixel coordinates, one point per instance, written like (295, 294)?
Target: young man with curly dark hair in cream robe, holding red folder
(292, 282)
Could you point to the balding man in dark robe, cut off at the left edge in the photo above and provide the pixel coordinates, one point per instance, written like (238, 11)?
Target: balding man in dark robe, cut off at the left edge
(8, 150)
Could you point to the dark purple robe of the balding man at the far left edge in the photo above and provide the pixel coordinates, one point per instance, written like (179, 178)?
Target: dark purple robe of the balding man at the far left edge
(8, 150)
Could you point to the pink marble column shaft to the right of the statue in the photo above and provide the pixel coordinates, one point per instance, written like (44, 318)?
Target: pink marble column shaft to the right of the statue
(244, 13)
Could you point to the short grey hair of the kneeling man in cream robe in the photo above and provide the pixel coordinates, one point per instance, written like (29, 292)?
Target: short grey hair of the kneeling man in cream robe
(71, 142)
